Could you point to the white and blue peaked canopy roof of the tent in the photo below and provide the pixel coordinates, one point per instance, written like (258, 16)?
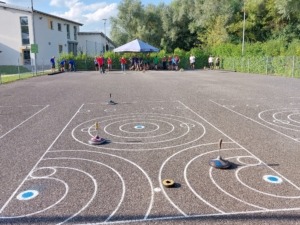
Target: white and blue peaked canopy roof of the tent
(136, 46)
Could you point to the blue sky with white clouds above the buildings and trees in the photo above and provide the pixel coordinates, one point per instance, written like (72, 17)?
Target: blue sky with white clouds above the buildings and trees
(88, 12)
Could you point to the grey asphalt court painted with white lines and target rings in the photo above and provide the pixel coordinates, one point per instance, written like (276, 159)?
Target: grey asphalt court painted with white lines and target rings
(165, 125)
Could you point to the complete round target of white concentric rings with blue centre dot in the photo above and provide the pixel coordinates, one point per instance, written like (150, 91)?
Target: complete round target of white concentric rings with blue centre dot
(136, 132)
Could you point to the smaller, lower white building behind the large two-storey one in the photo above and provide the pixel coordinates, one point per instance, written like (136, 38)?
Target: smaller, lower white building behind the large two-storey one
(94, 43)
